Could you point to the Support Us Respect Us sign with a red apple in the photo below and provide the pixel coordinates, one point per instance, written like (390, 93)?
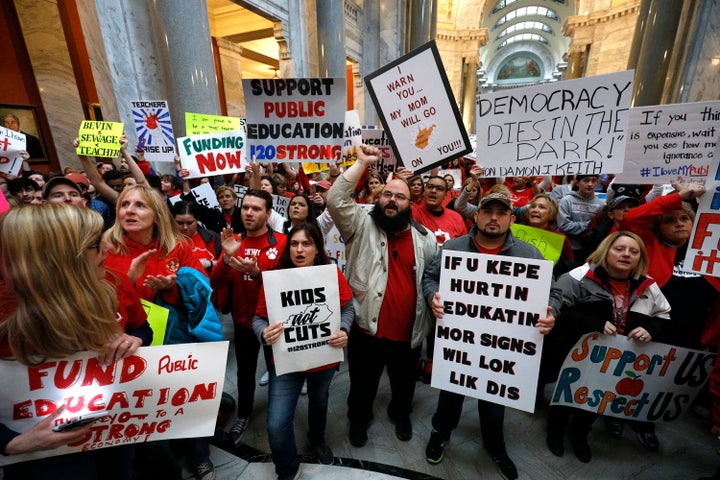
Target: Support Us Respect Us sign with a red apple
(617, 377)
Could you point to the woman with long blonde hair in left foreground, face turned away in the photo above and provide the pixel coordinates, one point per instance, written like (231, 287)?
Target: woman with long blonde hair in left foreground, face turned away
(56, 302)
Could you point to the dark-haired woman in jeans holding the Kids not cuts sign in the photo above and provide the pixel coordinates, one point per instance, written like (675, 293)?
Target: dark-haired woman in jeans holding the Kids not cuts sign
(304, 248)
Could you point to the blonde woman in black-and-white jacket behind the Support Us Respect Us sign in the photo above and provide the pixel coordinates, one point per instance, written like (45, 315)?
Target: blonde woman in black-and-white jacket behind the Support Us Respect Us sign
(613, 295)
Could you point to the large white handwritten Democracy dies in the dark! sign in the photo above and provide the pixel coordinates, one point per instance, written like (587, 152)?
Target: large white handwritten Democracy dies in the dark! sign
(573, 127)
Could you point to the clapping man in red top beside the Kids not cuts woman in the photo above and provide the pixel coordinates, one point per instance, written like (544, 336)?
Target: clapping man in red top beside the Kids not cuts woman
(241, 264)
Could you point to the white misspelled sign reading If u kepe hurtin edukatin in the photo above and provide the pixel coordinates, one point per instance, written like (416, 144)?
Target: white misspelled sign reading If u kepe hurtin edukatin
(486, 344)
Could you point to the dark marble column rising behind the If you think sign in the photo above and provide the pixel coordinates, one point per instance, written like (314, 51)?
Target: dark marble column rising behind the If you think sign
(655, 53)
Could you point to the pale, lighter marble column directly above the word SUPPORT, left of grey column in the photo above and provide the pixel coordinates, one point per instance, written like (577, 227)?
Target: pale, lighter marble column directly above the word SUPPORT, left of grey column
(303, 37)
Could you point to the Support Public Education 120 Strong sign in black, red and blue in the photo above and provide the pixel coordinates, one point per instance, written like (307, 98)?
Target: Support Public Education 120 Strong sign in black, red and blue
(295, 119)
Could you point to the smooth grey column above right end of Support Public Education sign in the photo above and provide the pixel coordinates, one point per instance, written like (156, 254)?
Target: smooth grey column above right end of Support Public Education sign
(331, 38)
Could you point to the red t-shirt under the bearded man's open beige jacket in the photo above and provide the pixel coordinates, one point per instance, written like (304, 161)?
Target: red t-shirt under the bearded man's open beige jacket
(397, 313)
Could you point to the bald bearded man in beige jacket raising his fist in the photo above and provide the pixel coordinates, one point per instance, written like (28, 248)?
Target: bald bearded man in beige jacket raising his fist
(386, 253)
